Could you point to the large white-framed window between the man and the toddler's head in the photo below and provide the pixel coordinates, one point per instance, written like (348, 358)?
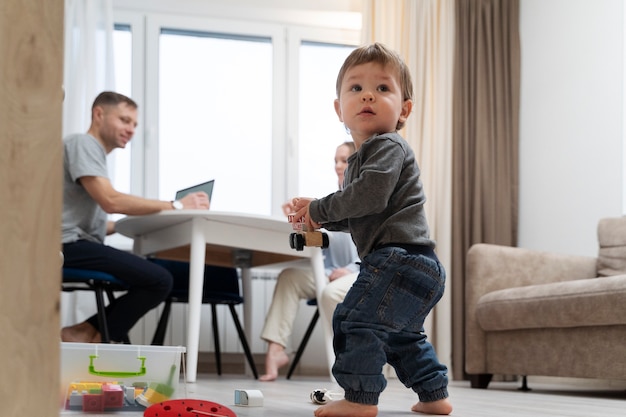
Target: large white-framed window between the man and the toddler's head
(247, 104)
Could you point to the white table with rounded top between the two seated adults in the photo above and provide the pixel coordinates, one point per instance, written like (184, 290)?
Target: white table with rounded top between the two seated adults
(222, 239)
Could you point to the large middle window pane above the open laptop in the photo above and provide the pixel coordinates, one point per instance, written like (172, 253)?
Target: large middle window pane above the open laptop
(215, 117)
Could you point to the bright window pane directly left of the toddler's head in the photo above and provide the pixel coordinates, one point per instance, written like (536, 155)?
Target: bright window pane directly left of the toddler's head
(319, 128)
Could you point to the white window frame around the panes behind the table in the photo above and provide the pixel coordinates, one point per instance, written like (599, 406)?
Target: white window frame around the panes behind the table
(287, 31)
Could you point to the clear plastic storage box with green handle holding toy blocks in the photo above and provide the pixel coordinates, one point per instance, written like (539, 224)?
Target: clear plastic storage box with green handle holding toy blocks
(111, 377)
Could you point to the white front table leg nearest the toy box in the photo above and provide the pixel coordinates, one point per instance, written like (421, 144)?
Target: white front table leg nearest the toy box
(196, 282)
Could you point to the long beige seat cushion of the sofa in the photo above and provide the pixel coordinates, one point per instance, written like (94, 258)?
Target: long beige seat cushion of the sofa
(578, 303)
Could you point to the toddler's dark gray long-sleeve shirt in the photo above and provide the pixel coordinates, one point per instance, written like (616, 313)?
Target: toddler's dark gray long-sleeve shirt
(383, 197)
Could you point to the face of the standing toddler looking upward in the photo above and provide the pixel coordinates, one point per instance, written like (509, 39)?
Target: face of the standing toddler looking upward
(371, 100)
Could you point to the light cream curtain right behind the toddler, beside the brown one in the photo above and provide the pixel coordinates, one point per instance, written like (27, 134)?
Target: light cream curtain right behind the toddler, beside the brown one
(422, 31)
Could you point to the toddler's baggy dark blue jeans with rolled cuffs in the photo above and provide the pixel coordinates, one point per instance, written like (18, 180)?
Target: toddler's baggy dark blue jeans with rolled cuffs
(381, 321)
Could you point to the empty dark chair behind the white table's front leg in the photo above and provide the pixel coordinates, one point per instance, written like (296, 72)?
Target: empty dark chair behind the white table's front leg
(221, 286)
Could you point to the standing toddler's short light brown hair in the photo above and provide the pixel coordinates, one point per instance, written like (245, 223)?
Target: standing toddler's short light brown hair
(380, 54)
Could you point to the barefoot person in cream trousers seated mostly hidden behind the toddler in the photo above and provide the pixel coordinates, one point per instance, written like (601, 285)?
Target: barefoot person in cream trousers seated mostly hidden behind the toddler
(294, 284)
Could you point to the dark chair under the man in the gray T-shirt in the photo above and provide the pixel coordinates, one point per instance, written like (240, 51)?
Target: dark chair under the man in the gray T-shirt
(75, 279)
